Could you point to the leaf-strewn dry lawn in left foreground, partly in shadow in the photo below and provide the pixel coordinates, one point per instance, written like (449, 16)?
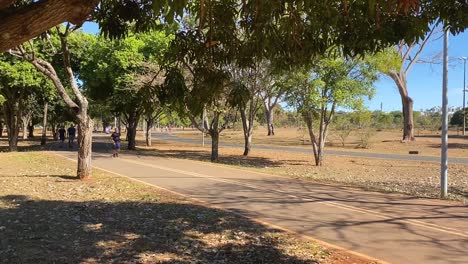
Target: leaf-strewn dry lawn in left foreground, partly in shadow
(48, 216)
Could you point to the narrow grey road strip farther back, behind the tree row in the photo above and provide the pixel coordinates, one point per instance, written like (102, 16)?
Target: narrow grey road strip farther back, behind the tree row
(173, 137)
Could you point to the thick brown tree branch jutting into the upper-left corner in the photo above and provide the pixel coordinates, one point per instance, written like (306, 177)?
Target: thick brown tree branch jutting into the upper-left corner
(34, 19)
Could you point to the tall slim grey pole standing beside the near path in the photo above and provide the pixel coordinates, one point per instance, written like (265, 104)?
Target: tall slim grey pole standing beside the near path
(444, 136)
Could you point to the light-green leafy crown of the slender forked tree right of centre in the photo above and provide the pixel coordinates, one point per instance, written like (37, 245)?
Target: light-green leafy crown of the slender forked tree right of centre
(341, 82)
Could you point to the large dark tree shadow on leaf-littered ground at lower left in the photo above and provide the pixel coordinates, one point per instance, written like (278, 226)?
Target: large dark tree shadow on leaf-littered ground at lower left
(41, 231)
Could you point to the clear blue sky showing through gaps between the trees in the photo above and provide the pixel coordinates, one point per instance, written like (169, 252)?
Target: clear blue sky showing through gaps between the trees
(424, 80)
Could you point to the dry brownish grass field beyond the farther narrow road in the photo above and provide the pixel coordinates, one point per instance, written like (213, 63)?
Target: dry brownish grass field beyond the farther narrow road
(387, 141)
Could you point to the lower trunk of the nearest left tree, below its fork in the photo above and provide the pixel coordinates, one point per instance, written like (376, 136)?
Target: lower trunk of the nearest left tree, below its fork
(85, 139)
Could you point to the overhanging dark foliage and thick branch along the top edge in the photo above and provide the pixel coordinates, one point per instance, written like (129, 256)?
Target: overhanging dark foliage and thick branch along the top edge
(293, 29)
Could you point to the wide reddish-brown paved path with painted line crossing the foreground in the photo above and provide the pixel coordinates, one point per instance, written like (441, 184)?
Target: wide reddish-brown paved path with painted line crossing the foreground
(391, 228)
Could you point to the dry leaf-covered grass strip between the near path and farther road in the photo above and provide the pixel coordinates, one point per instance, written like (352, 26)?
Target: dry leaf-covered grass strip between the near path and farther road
(420, 179)
